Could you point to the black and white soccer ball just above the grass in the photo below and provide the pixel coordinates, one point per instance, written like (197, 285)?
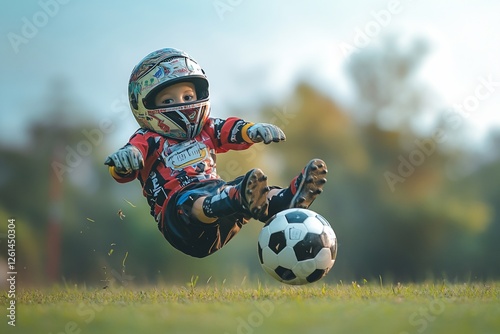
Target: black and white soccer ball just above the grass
(297, 246)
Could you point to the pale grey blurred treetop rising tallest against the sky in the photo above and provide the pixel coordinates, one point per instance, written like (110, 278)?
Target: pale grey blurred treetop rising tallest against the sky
(384, 76)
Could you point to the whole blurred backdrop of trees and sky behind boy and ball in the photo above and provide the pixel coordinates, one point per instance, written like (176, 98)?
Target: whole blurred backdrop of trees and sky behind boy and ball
(398, 97)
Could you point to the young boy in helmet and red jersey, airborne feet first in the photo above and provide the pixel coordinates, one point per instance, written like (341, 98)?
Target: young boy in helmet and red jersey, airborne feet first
(173, 156)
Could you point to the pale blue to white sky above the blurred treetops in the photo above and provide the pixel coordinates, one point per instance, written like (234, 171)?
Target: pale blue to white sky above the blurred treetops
(252, 51)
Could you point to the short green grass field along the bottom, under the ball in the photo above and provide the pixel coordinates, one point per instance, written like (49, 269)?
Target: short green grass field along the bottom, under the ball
(361, 307)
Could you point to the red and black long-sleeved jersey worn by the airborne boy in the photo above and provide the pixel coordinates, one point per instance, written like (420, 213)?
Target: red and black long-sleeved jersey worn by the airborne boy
(170, 165)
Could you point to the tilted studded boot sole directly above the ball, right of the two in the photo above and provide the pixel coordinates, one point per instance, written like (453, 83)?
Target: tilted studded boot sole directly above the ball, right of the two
(311, 185)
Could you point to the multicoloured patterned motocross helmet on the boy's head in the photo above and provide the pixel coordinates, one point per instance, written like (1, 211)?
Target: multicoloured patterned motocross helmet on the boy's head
(156, 71)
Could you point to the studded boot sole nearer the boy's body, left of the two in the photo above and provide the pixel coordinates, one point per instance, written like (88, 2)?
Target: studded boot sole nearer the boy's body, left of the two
(256, 190)
